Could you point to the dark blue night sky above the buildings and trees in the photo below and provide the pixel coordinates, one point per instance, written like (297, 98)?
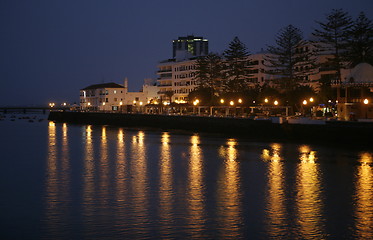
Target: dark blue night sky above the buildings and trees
(51, 49)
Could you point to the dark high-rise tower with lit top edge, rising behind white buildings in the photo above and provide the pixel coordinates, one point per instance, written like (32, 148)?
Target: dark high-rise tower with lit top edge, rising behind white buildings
(196, 46)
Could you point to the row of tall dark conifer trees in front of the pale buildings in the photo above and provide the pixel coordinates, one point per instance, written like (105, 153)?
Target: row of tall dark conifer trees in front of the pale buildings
(292, 59)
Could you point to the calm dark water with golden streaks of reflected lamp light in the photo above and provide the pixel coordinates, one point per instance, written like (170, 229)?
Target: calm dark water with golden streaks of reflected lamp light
(61, 181)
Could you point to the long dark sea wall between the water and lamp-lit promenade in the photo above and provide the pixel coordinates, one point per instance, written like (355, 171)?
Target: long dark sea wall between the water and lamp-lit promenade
(353, 133)
